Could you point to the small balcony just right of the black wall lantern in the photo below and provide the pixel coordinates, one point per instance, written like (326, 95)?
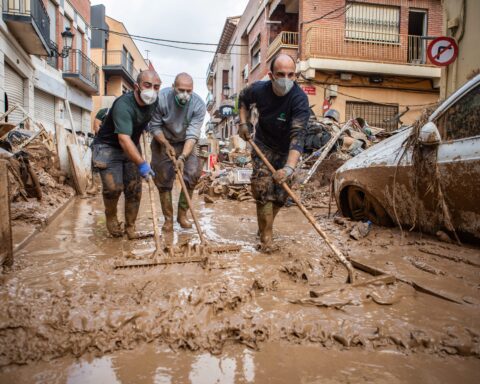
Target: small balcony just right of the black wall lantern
(79, 70)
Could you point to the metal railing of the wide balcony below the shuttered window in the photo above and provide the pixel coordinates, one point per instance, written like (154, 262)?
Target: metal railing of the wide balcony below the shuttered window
(322, 42)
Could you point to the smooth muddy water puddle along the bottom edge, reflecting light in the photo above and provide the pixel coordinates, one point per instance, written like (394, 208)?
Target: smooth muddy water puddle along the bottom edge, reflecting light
(275, 363)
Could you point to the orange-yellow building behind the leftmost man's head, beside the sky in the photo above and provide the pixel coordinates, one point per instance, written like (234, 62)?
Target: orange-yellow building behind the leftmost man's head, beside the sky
(117, 55)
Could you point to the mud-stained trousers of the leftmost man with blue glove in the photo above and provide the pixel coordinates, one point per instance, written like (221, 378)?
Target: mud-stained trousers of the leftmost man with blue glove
(119, 174)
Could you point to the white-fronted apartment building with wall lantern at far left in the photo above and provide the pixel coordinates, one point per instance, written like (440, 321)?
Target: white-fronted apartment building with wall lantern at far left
(37, 71)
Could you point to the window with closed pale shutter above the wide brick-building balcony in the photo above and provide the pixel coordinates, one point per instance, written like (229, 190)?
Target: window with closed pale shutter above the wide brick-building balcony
(372, 22)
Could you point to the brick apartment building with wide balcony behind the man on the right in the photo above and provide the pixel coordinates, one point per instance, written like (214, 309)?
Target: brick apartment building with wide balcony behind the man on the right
(364, 58)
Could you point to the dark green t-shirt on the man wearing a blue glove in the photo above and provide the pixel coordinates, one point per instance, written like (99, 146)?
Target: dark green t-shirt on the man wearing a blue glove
(126, 117)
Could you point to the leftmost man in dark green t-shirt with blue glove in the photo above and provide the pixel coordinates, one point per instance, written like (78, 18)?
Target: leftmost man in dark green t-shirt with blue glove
(116, 152)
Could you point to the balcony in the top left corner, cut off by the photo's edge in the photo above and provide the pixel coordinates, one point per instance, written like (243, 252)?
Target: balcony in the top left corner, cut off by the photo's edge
(28, 21)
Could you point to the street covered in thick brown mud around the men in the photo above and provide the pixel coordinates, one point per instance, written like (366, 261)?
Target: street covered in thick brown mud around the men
(242, 317)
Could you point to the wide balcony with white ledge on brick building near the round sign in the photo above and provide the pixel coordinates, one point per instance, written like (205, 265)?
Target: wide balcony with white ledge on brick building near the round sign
(382, 51)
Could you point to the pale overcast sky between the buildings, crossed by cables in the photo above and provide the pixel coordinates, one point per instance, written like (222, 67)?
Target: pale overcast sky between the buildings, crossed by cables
(186, 20)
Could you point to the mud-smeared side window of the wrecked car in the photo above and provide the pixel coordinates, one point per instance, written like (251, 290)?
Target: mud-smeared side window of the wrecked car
(462, 119)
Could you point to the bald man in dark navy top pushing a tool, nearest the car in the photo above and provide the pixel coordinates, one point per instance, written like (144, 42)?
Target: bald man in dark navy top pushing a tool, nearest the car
(280, 133)
